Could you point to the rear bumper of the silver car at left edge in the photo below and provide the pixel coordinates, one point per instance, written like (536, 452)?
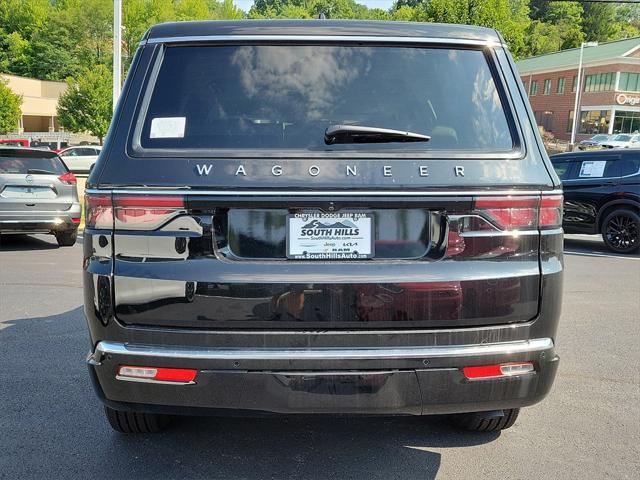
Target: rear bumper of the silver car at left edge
(39, 222)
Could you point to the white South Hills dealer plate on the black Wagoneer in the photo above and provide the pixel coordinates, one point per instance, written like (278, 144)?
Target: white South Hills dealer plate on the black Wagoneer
(330, 236)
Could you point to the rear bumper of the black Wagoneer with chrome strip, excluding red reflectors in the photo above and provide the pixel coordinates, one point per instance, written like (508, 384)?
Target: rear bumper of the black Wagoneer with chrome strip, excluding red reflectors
(381, 380)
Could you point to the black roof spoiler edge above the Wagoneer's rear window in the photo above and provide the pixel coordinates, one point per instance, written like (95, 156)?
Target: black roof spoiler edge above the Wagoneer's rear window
(322, 27)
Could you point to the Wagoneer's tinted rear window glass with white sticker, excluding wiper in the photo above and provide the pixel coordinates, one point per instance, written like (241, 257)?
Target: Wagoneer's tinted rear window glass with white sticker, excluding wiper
(285, 97)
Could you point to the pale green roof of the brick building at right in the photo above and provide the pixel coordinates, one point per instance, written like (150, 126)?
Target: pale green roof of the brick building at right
(567, 59)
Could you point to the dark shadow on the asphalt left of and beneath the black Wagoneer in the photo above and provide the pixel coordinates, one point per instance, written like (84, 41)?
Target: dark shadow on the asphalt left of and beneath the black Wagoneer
(54, 427)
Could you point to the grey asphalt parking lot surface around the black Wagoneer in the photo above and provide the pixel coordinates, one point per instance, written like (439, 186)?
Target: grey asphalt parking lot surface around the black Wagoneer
(52, 425)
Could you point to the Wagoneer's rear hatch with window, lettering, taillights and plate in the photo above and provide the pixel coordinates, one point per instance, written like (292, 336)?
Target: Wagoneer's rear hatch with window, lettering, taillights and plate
(251, 218)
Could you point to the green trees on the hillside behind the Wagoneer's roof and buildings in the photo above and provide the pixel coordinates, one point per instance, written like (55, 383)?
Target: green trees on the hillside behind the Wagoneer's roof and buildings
(56, 39)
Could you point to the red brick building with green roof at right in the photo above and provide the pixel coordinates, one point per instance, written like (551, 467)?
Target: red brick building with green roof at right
(609, 100)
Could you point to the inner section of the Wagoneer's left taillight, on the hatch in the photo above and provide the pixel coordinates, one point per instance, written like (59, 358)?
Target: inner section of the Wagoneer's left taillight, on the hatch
(145, 212)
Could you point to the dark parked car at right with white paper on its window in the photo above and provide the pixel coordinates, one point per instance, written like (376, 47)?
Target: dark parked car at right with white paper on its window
(602, 195)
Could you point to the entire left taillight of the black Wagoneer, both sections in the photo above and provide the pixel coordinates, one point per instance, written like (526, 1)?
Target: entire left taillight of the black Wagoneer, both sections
(131, 212)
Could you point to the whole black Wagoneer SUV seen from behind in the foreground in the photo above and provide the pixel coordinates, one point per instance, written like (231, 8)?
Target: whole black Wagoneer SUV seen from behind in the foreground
(322, 217)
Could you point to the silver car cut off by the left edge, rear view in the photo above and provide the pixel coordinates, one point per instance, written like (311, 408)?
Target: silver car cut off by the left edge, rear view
(38, 194)
